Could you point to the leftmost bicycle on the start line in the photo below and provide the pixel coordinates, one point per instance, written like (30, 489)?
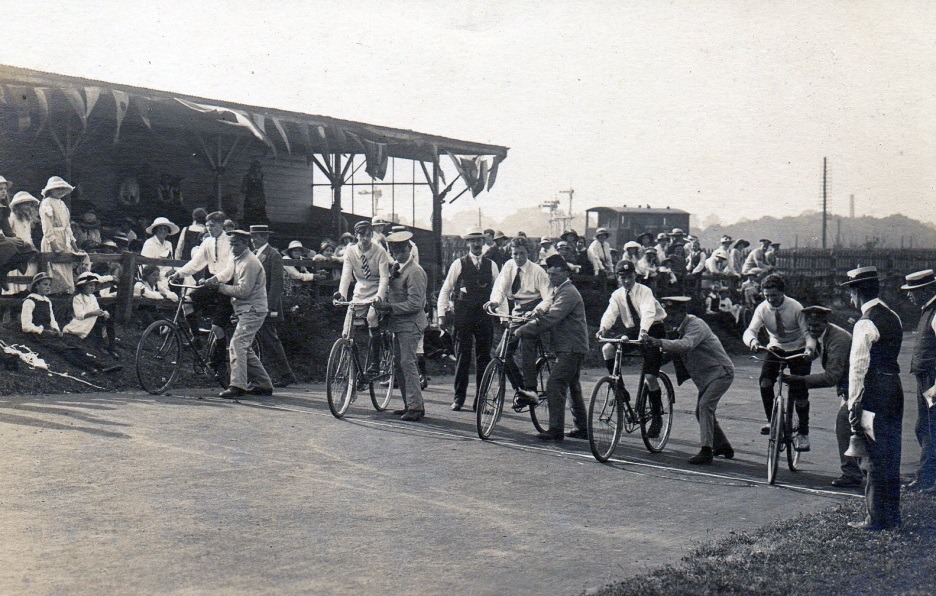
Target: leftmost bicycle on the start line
(159, 351)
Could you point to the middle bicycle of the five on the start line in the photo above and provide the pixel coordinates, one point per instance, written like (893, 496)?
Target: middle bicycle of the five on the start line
(489, 403)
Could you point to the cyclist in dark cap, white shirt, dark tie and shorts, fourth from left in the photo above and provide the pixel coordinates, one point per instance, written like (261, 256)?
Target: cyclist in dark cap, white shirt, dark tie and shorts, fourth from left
(642, 316)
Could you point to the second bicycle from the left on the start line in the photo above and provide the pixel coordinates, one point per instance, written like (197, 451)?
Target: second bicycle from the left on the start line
(345, 375)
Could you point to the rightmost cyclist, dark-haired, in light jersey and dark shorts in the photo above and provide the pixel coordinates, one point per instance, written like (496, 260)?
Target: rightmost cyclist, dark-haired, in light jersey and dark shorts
(785, 323)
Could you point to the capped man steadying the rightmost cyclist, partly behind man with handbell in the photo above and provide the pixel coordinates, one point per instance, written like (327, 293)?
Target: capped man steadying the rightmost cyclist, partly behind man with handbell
(833, 345)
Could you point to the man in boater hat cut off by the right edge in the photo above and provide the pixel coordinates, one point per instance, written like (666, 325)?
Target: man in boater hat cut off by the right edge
(921, 289)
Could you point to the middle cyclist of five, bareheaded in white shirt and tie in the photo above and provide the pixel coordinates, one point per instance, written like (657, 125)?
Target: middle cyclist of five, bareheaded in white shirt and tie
(527, 285)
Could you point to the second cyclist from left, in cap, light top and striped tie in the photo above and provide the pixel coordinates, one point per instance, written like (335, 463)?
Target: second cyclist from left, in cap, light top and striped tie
(367, 263)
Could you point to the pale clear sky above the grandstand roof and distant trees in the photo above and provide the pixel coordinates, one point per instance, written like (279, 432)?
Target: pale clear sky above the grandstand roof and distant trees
(724, 109)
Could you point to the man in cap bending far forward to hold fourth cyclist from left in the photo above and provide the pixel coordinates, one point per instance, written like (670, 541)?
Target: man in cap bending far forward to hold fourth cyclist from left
(700, 356)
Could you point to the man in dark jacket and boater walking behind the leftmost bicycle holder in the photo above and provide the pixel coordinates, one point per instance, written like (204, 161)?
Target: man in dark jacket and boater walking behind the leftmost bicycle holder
(270, 345)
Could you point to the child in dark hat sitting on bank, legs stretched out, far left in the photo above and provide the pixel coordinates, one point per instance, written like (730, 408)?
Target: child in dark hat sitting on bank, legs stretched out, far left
(38, 324)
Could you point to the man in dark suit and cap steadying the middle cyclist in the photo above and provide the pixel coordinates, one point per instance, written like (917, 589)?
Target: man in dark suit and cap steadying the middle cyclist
(565, 320)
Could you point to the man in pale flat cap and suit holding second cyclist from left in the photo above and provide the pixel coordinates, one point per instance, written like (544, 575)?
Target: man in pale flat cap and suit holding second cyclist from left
(405, 303)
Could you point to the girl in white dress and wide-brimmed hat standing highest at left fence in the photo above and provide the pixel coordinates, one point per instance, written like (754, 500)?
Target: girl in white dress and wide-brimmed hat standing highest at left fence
(57, 236)
